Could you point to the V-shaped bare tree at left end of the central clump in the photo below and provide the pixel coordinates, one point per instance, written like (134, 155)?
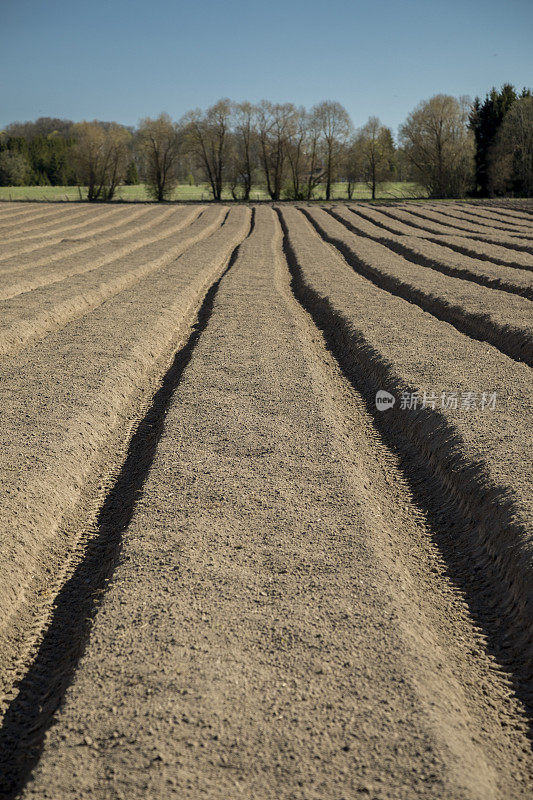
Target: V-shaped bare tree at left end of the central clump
(208, 137)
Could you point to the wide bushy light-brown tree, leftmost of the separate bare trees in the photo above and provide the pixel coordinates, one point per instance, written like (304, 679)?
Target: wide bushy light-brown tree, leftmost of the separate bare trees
(100, 157)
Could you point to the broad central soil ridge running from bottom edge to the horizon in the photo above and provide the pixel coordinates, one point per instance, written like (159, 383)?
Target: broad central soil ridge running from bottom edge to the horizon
(257, 574)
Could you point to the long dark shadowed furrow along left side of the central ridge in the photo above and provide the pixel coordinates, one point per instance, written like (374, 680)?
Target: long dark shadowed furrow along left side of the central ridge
(42, 688)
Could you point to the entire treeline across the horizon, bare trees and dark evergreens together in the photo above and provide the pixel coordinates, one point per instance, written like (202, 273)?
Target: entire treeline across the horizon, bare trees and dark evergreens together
(449, 146)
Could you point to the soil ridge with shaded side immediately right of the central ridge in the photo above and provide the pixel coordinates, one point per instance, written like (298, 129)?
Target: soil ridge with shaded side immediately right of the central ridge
(480, 462)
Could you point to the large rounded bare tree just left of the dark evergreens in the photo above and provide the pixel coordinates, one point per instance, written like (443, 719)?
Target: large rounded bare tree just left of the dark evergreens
(439, 144)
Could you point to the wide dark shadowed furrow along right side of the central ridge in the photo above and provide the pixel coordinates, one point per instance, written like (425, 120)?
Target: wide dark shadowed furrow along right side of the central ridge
(472, 521)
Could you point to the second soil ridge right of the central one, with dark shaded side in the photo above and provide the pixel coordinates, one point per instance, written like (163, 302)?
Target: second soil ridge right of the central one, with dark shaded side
(472, 309)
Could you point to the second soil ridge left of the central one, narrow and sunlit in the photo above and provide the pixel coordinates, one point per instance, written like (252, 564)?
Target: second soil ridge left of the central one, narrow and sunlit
(29, 317)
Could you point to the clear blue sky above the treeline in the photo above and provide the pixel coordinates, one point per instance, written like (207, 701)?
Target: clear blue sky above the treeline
(125, 59)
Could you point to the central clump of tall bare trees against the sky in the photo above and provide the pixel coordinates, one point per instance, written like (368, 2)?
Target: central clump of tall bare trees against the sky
(287, 149)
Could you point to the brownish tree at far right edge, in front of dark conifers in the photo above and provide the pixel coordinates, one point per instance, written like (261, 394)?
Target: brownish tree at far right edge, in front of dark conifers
(511, 158)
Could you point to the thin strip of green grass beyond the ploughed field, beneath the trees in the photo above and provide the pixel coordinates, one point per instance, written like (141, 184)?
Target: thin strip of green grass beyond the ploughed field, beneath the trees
(201, 192)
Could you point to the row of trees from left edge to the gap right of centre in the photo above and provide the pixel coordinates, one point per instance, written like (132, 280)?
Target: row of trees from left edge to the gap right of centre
(283, 147)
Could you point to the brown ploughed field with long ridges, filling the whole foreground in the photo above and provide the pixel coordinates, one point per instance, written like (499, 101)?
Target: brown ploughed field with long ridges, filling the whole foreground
(266, 501)
